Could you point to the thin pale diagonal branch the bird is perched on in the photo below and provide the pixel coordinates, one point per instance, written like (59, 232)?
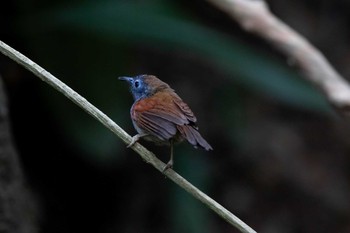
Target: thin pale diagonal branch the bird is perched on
(148, 156)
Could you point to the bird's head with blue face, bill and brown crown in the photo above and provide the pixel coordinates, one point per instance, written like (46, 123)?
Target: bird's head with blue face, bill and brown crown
(144, 85)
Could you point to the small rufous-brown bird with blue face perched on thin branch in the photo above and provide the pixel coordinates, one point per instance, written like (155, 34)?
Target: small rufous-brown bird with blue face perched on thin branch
(159, 115)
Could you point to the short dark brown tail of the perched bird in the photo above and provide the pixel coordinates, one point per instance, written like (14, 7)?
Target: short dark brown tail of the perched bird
(193, 136)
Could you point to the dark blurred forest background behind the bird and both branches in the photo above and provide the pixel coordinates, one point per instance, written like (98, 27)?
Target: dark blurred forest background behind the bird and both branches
(281, 154)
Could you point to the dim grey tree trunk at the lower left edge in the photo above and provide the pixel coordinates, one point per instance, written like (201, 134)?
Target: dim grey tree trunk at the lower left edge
(17, 207)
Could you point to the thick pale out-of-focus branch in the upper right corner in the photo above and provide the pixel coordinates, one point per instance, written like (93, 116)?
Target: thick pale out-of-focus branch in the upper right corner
(254, 16)
